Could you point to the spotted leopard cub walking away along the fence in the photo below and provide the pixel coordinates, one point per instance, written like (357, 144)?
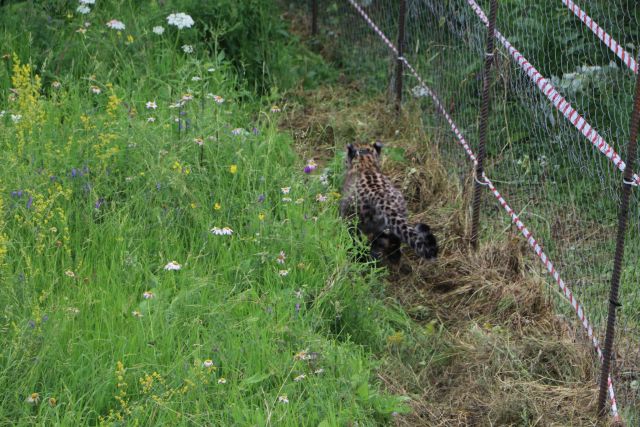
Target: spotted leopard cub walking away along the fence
(379, 207)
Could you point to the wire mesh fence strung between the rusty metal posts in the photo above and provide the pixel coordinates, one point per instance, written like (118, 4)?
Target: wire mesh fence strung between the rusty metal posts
(562, 96)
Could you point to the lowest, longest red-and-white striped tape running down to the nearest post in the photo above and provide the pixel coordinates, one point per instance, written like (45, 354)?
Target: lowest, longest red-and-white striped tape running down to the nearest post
(564, 289)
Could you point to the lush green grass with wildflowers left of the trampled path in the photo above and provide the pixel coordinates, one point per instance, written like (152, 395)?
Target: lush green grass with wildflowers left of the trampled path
(97, 200)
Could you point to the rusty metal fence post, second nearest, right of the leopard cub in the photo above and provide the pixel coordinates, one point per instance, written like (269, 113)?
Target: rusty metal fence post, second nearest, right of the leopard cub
(484, 116)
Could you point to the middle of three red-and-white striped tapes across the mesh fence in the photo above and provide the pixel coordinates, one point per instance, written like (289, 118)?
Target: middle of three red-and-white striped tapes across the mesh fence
(556, 99)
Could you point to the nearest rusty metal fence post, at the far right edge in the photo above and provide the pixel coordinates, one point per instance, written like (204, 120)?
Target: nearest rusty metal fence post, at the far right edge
(617, 261)
